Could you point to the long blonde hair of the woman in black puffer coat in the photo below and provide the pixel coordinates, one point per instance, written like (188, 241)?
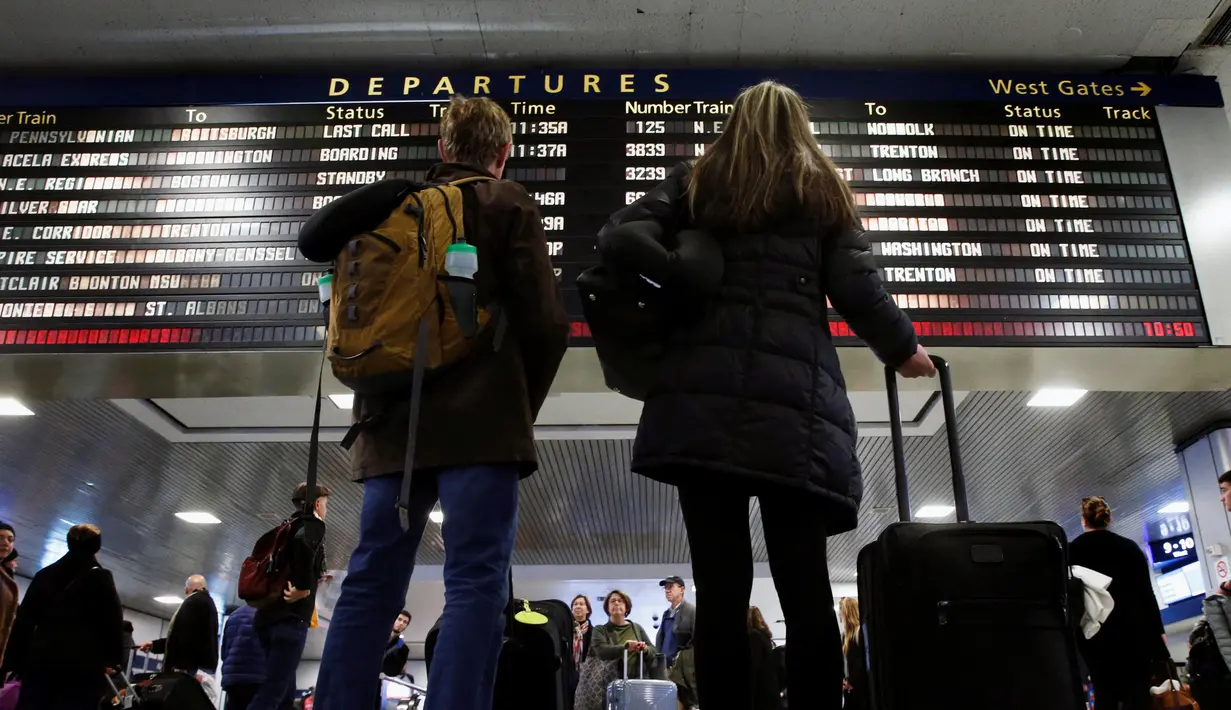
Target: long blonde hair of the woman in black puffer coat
(768, 166)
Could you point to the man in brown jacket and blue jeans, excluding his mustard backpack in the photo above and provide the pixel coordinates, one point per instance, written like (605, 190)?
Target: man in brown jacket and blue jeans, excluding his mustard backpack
(476, 437)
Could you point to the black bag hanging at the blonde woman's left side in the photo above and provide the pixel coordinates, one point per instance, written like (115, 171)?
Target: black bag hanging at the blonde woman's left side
(647, 285)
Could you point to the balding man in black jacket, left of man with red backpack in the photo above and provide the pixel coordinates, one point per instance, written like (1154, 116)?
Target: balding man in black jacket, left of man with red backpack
(191, 640)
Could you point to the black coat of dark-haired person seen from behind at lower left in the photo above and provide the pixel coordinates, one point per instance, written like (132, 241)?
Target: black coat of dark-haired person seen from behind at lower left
(70, 624)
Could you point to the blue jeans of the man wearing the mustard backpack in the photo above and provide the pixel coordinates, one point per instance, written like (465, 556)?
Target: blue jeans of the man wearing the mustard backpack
(481, 522)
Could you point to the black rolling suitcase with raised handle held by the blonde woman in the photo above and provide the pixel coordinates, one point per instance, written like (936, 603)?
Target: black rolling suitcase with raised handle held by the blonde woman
(969, 615)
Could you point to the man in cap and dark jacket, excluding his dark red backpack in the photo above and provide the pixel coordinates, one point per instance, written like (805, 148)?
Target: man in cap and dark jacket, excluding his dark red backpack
(283, 627)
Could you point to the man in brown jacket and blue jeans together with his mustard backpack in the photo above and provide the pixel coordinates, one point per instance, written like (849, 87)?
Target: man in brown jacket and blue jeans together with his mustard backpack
(475, 439)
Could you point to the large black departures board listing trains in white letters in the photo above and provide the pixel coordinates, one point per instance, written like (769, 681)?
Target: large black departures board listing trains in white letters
(1014, 220)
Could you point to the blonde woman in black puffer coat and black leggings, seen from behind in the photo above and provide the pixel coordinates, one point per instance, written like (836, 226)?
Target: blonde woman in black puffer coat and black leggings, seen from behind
(750, 399)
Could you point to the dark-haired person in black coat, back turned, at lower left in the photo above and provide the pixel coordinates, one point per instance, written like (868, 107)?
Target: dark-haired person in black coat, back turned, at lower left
(70, 631)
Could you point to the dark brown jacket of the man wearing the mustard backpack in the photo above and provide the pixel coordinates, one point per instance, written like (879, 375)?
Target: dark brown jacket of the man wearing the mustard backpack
(482, 410)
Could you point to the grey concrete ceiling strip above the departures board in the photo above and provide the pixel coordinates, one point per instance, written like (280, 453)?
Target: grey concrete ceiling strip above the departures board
(164, 35)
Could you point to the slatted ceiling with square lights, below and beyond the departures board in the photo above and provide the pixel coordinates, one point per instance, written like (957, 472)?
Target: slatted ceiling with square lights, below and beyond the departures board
(88, 461)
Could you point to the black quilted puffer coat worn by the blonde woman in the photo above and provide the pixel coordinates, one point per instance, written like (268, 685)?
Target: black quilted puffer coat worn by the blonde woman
(754, 391)
